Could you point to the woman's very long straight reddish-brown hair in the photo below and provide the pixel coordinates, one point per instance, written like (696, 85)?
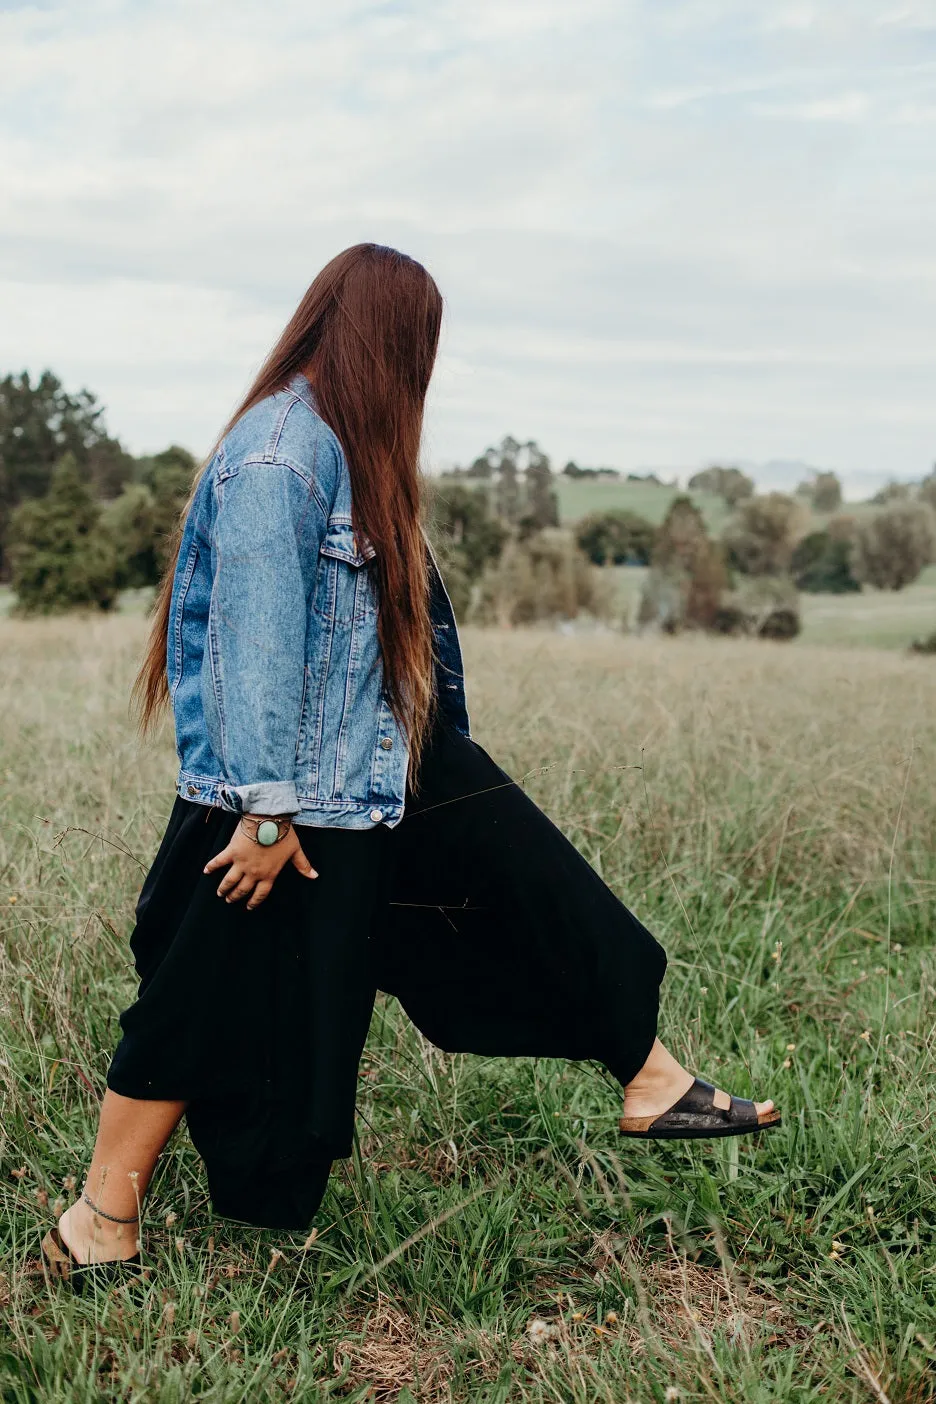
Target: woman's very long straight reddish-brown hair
(366, 333)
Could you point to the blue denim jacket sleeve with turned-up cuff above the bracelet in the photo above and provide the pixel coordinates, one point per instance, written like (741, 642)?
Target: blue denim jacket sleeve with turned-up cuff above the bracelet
(266, 543)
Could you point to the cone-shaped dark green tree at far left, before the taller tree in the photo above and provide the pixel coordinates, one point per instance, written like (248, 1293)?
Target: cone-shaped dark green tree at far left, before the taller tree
(61, 558)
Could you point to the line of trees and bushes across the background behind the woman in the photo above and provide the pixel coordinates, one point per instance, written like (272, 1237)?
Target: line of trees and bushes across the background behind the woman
(81, 520)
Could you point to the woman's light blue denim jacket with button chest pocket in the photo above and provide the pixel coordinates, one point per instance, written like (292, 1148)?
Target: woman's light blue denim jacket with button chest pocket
(274, 665)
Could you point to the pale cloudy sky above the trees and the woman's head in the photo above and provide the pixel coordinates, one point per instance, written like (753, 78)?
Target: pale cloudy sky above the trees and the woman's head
(669, 232)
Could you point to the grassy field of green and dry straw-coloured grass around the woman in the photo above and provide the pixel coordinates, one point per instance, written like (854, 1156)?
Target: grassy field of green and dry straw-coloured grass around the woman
(770, 812)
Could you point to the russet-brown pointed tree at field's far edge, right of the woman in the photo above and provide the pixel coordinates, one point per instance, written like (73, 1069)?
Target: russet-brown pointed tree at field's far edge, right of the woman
(687, 578)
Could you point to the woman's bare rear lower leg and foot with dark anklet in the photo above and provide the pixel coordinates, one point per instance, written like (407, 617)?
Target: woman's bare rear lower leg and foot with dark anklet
(131, 1137)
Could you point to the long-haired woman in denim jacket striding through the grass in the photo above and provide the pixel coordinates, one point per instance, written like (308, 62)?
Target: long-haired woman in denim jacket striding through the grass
(336, 830)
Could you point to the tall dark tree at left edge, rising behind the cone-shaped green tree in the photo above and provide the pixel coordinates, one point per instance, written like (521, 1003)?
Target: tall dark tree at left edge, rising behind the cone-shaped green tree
(39, 425)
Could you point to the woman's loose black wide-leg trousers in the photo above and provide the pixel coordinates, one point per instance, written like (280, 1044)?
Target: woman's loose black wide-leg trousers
(259, 1019)
